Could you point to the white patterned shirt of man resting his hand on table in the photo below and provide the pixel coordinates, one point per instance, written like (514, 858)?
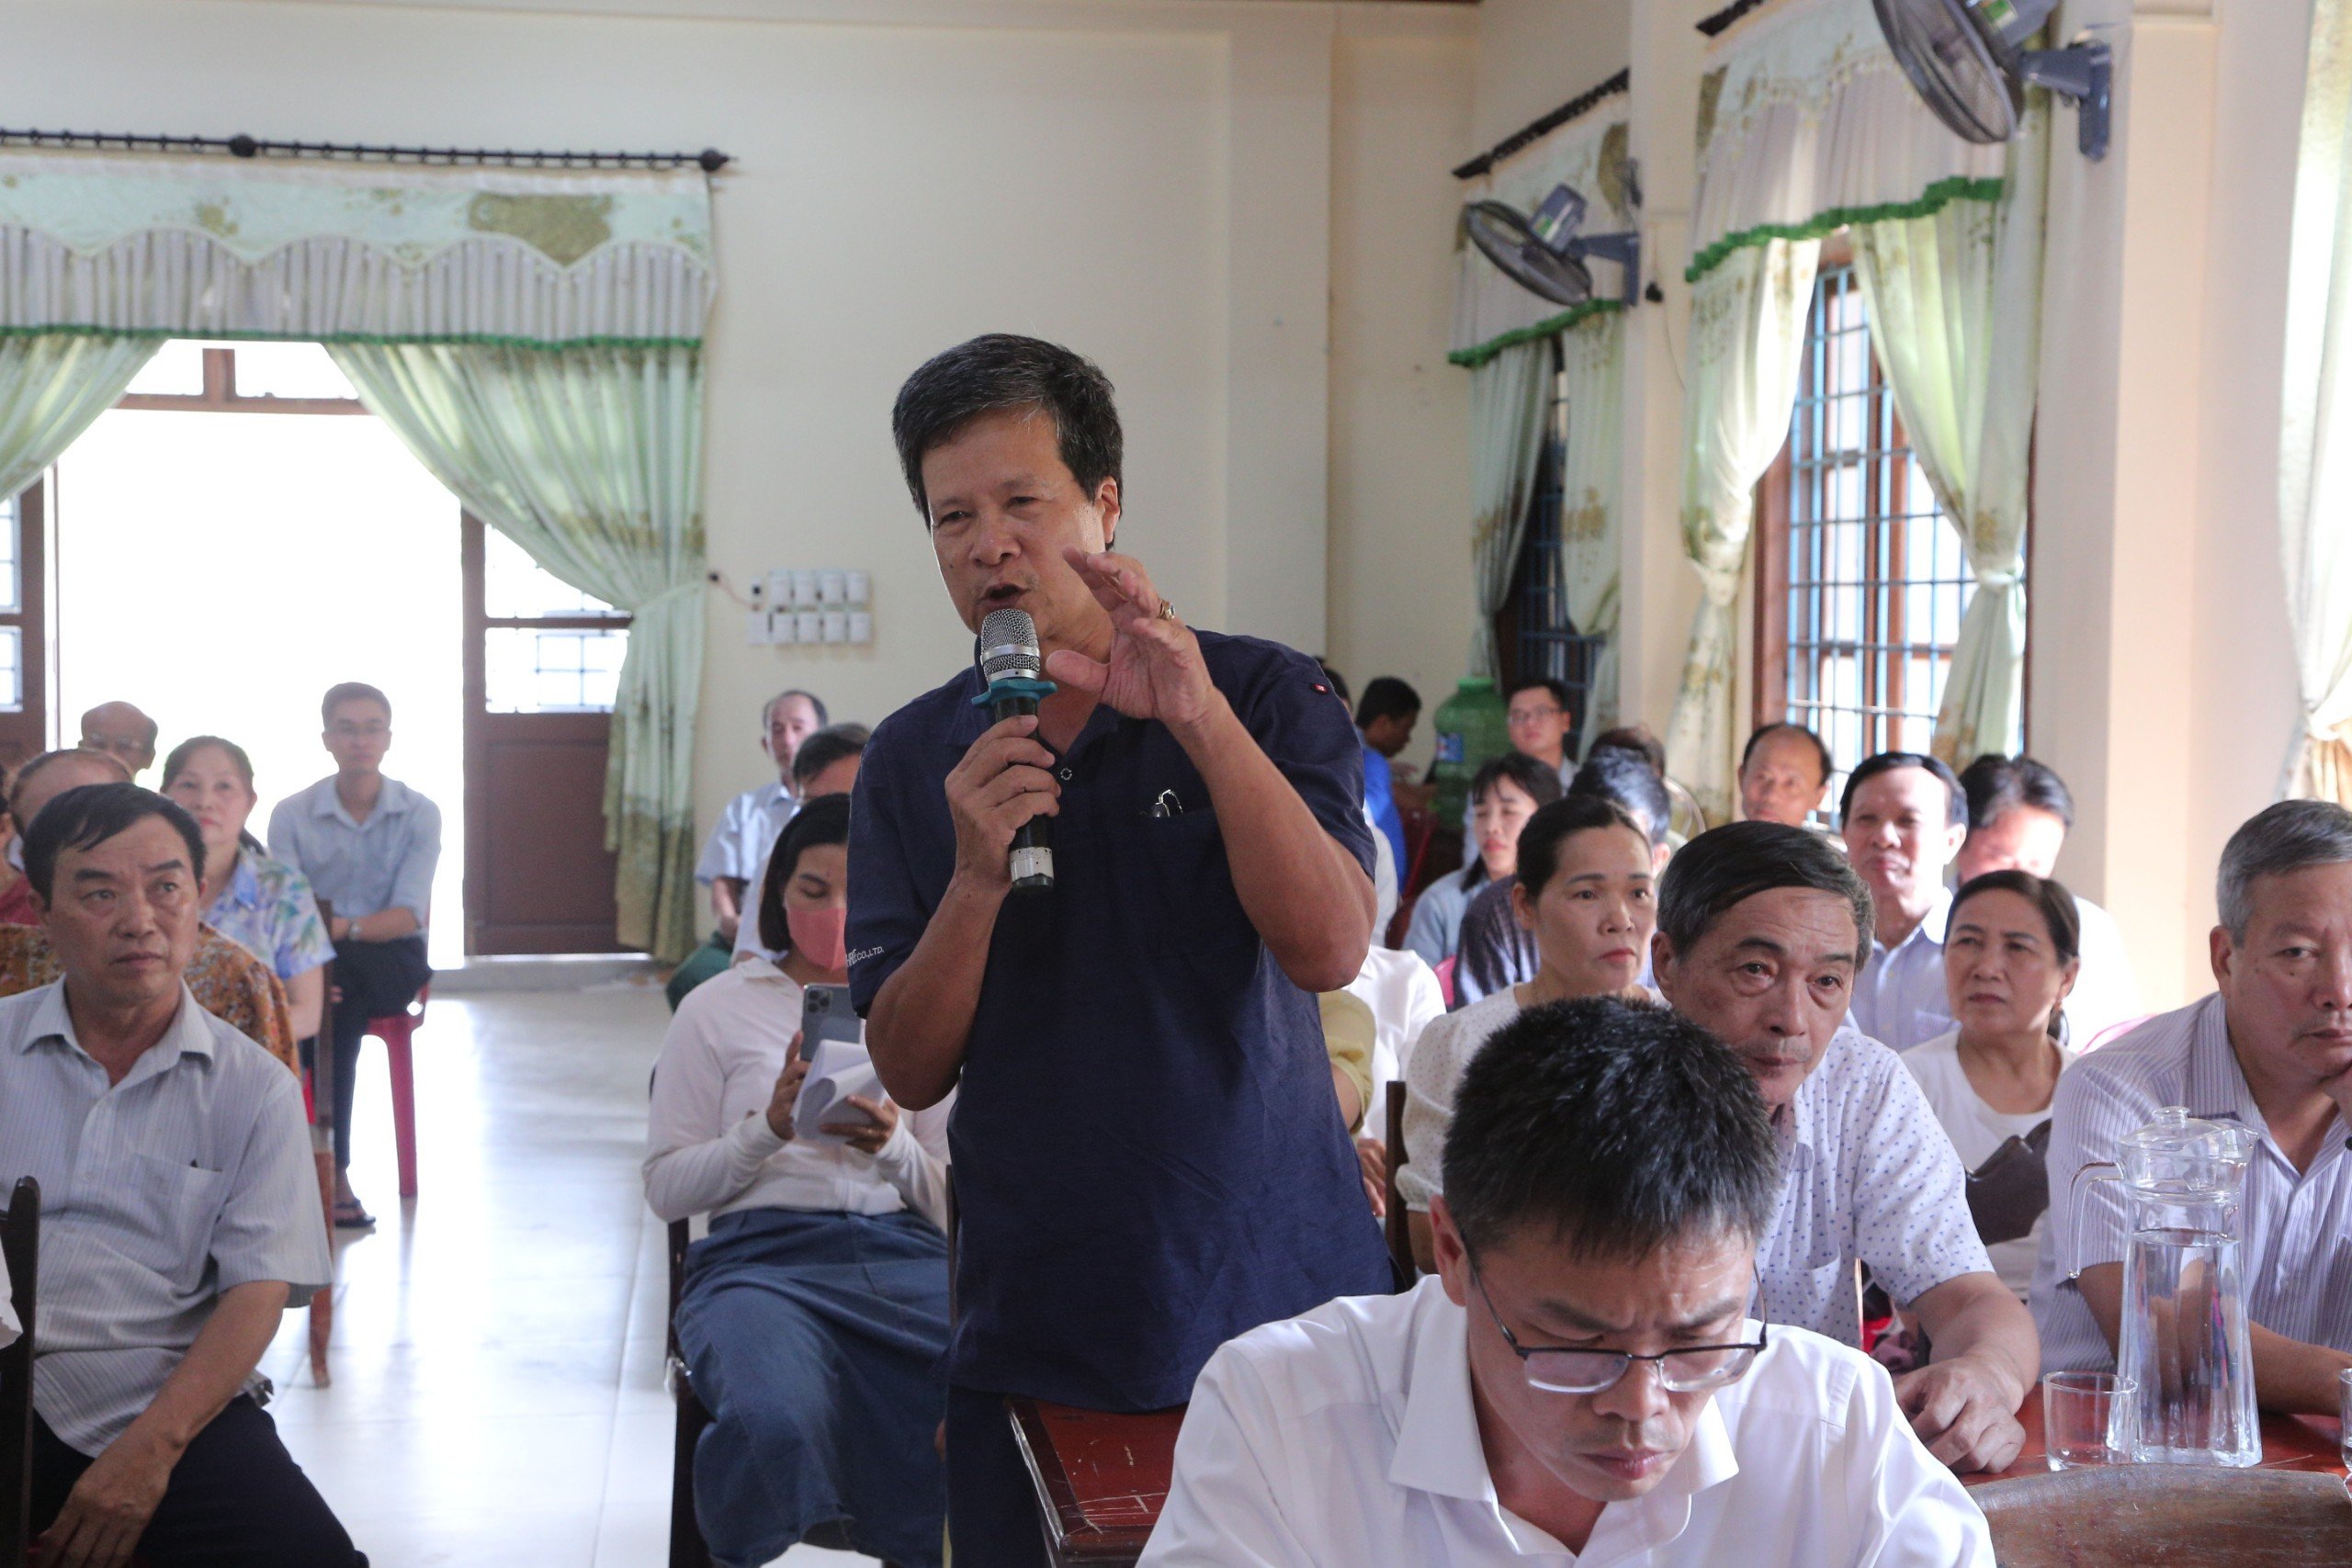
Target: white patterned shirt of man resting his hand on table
(1869, 1174)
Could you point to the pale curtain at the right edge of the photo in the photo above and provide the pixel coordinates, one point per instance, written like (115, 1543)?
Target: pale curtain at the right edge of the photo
(2316, 427)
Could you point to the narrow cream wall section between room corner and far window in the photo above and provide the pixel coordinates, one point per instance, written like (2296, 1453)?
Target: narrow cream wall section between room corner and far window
(1401, 476)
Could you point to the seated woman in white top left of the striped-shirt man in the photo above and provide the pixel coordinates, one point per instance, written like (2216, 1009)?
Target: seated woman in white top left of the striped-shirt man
(2010, 963)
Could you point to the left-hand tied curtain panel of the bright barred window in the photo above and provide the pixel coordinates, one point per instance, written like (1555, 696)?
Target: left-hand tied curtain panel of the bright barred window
(1746, 351)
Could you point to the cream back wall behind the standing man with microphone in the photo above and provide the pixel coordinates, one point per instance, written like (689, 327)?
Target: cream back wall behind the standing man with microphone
(1147, 180)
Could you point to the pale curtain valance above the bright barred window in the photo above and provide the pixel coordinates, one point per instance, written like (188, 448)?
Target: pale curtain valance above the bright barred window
(1808, 123)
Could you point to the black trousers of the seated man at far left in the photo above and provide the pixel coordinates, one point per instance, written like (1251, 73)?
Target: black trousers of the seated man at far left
(236, 1501)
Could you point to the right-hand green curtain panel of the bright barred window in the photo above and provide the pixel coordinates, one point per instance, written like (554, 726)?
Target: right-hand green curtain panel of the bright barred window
(1956, 316)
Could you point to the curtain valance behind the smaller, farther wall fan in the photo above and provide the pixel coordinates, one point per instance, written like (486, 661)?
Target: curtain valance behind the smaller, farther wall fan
(1495, 314)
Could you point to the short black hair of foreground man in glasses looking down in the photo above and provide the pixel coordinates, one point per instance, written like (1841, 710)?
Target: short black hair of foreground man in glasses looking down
(1617, 1127)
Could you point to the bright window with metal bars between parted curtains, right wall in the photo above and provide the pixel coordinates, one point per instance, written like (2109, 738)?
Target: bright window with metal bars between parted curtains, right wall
(1862, 579)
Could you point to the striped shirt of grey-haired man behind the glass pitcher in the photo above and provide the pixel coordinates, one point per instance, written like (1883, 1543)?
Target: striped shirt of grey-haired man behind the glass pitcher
(2294, 1228)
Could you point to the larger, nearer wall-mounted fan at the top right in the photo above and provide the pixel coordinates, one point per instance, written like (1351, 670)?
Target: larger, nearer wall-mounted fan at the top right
(1970, 62)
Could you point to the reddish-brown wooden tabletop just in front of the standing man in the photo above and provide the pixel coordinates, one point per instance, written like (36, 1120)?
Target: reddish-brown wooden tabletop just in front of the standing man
(1102, 1480)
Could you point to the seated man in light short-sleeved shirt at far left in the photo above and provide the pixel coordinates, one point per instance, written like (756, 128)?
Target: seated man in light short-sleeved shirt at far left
(180, 1214)
